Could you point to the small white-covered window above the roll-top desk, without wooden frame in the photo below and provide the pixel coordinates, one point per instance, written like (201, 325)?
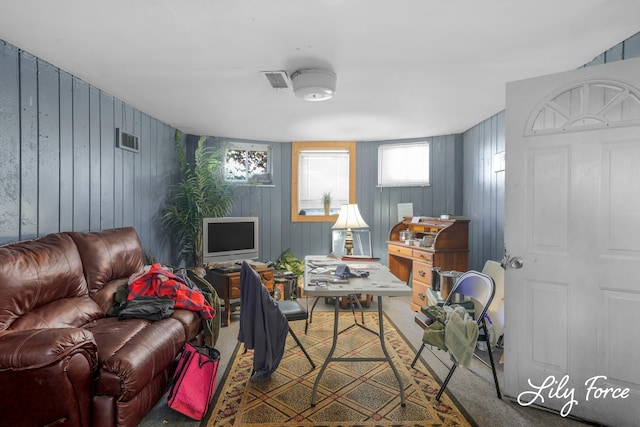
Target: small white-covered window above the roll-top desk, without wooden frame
(403, 165)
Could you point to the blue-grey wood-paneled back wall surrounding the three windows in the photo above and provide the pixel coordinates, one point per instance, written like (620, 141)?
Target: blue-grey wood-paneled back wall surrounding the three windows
(378, 206)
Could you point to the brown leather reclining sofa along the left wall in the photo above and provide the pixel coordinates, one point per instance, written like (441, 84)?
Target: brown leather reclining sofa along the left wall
(62, 360)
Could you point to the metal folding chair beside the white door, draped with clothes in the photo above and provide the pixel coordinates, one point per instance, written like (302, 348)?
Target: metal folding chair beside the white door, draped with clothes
(480, 288)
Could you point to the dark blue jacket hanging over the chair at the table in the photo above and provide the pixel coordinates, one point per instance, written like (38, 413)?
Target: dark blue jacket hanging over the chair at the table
(263, 327)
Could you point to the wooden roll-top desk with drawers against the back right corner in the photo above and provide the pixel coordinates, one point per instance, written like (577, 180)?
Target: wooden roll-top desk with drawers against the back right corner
(414, 264)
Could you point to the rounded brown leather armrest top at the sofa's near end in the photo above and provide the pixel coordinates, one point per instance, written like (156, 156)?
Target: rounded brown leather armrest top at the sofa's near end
(32, 349)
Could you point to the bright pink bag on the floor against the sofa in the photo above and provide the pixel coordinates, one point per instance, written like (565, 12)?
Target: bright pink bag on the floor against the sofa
(194, 381)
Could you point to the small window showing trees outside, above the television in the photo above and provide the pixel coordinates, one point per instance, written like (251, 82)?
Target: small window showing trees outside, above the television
(250, 163)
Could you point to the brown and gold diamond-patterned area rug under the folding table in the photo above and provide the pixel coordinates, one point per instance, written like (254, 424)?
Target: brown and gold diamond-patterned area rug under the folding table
(350, 394)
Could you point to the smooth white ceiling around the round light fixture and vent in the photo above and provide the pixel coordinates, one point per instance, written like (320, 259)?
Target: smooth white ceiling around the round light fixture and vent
(406, 68)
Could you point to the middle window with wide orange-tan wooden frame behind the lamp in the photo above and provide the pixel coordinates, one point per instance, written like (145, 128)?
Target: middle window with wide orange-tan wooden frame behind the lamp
(318, 168)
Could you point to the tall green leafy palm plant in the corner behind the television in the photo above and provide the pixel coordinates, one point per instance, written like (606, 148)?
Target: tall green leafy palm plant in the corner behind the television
(201, 192)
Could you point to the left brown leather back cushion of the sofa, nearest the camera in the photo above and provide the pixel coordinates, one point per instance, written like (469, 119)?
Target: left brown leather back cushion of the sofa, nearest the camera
(36, 273)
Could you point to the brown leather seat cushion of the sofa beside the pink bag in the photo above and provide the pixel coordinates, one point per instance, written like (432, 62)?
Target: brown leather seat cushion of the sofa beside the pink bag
(133, 352)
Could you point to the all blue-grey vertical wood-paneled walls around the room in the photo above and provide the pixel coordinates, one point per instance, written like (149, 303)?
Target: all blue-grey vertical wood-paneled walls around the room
(62, 171)
